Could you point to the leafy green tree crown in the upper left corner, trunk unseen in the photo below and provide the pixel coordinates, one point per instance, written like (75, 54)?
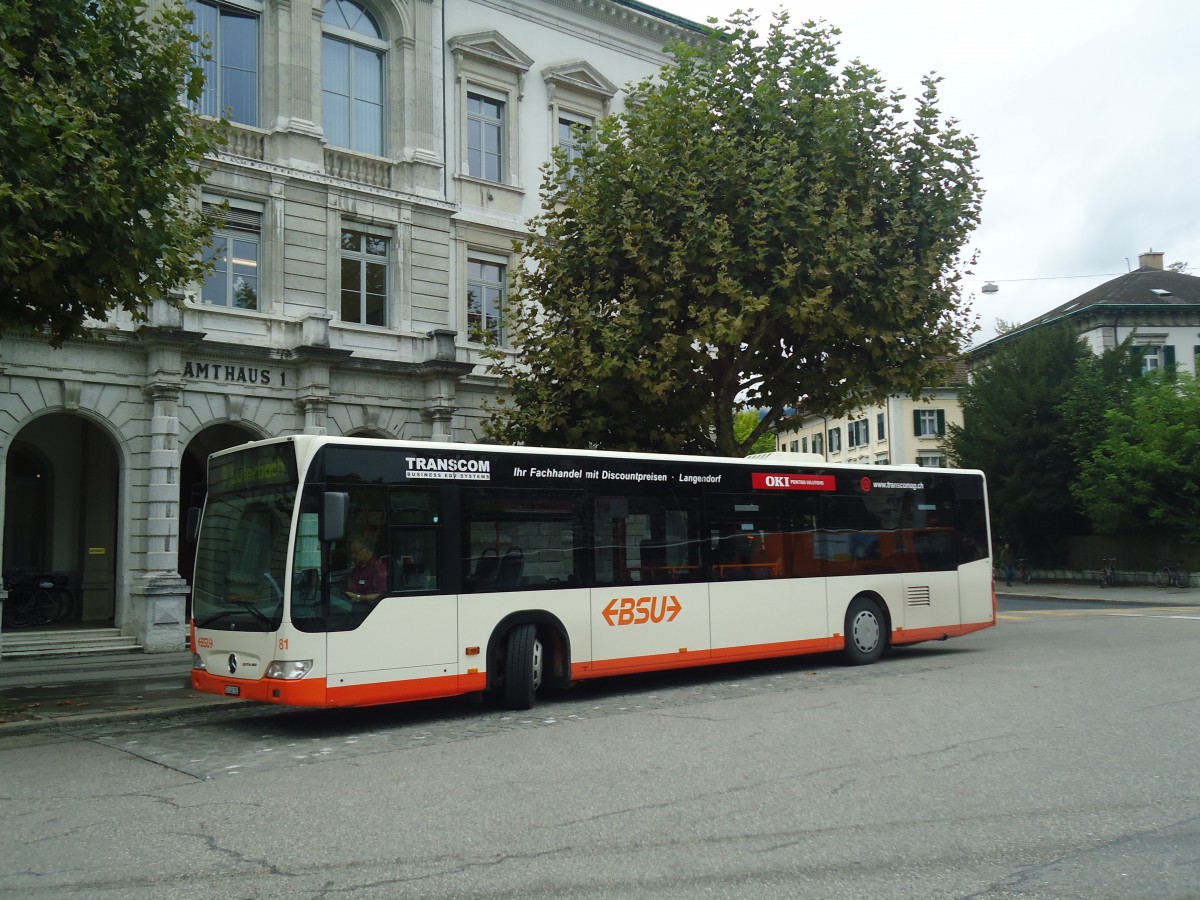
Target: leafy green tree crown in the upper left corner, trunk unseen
(99, 159)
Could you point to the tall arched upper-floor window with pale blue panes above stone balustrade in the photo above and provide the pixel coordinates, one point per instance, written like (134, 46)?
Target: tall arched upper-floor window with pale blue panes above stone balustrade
(352, 74)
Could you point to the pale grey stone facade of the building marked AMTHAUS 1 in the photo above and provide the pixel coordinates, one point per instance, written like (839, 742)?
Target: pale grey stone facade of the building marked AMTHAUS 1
(385, 157)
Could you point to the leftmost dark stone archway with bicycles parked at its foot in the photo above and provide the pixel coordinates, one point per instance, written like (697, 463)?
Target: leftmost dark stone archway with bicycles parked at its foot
(62, 500)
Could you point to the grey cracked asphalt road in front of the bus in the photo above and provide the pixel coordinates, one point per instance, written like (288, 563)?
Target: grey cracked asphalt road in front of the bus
(1054, 757)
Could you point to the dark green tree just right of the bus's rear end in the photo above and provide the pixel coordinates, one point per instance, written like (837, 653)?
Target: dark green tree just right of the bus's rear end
(1015, 428)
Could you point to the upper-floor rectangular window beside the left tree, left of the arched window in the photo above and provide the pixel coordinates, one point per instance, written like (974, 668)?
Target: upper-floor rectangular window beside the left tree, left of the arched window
(231, 76)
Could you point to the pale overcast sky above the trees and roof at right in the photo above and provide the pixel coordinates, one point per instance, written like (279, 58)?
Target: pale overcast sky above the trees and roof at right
(1085, 116)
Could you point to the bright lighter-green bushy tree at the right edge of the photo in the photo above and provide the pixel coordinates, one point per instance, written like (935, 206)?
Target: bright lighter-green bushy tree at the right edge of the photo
(1144, 476)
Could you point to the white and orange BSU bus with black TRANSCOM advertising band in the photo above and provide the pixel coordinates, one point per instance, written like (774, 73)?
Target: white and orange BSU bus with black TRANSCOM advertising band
(506, 569)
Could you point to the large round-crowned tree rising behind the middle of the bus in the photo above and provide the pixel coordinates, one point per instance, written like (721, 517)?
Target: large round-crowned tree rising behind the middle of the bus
(763, 225)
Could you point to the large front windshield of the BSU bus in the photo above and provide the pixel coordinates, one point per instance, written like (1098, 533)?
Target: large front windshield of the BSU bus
(242, 555)
